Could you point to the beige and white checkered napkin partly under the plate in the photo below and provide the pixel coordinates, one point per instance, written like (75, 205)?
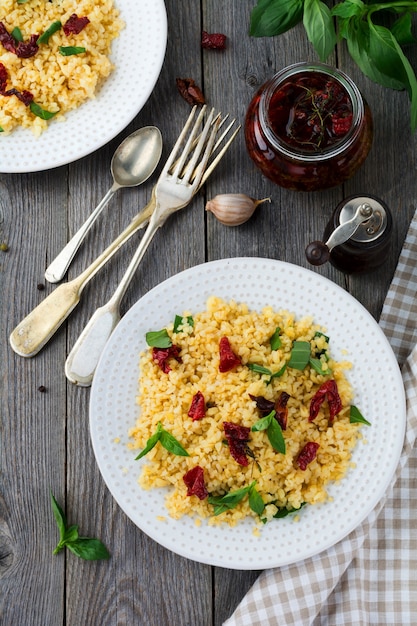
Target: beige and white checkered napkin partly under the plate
(370, 577)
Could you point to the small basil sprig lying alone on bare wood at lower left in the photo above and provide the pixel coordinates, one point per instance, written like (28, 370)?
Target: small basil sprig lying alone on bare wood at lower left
(86, 548)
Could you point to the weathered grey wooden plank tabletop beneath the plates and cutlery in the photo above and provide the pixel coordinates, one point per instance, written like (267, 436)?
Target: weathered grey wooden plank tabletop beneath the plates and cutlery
(45, 441)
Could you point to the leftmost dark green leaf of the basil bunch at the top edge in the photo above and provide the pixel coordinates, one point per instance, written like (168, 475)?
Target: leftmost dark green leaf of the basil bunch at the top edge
(274, 17)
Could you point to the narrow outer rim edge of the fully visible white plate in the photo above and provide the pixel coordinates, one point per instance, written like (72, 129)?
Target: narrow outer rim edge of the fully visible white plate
(262, 562)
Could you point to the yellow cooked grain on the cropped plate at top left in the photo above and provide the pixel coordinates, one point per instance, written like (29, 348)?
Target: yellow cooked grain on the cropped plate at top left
(57, 83)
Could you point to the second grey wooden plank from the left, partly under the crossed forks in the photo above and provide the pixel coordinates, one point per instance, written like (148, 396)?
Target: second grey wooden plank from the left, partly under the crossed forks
(132, 587)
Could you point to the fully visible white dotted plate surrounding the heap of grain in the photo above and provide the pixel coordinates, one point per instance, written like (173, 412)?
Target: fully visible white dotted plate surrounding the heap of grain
(375, 378)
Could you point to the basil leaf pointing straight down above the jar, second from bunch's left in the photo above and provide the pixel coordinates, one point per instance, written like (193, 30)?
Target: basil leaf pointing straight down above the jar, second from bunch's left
(319, 26)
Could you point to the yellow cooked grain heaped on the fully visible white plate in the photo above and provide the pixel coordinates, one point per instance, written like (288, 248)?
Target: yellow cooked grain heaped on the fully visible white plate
(233, 397)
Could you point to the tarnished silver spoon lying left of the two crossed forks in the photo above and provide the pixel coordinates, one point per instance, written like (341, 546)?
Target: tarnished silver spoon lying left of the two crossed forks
(133, 162)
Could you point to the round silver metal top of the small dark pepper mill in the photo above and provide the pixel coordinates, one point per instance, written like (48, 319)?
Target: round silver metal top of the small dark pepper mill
(371, 229)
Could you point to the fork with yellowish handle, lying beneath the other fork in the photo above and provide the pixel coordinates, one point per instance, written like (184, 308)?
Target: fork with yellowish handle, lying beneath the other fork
(35, 330)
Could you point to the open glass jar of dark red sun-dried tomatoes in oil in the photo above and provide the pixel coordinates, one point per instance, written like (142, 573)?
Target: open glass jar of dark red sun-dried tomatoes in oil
(308, 127)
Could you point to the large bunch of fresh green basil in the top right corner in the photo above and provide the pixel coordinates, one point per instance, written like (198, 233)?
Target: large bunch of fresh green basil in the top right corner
(375, 47)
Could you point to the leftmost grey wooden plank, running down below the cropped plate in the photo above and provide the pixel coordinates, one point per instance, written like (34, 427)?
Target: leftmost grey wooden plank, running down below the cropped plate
(32, 421)
